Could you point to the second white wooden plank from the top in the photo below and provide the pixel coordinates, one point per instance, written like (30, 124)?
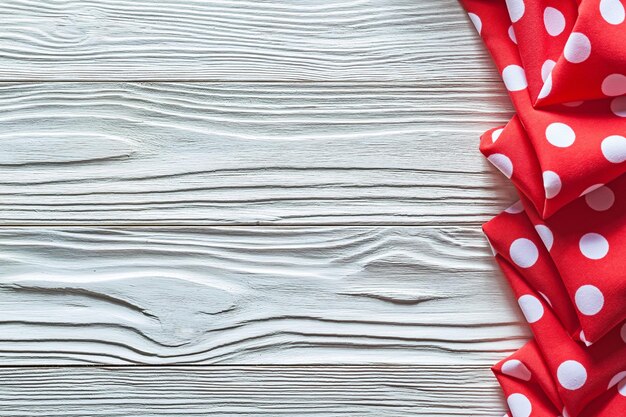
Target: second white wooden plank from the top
(249, 153)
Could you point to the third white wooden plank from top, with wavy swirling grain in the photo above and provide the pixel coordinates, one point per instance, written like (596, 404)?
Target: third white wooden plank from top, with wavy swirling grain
(252, 295)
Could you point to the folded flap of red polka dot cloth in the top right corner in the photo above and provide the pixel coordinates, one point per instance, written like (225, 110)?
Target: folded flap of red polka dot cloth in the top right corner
(571, 50)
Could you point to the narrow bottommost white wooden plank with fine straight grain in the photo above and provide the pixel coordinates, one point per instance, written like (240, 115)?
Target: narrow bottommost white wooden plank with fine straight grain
(424, 391)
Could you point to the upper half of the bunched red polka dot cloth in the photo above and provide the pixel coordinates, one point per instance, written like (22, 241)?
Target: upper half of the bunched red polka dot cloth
(572, 145)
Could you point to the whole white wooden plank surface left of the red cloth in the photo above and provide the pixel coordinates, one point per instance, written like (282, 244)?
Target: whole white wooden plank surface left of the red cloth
(248, 208)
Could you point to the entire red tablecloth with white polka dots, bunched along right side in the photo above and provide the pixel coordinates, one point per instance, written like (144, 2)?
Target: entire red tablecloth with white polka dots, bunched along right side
(562, 247)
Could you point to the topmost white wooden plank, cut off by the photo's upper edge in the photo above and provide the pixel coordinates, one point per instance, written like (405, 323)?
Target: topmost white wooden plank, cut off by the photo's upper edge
(275, 40)
